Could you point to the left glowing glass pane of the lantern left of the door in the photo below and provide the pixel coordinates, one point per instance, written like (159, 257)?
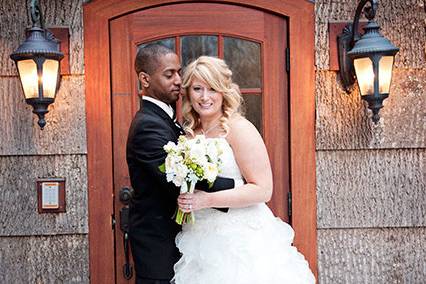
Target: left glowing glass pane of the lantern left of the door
(28, 73)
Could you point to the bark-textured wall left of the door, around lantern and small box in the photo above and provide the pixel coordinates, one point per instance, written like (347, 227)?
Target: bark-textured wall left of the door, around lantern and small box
(42, 248)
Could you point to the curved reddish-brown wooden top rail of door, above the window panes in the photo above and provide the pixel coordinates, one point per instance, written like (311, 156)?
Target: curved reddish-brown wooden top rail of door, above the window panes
(196, 18)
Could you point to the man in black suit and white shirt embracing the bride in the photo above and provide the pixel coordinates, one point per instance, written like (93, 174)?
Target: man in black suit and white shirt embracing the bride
(152, 229)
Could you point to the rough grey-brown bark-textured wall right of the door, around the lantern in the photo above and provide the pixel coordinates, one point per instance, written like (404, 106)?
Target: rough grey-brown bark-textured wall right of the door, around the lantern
(371, 185)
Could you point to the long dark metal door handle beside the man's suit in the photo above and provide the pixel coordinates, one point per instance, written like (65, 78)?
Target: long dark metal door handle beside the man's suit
(125, 196)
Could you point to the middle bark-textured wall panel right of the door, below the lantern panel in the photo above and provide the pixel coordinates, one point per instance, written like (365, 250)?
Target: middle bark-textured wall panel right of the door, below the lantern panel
(371, 188)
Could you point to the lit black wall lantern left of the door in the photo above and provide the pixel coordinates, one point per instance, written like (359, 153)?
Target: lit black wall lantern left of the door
(37, 61)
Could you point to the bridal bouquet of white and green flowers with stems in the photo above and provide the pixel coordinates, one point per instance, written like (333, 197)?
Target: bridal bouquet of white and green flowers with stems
(190, 161)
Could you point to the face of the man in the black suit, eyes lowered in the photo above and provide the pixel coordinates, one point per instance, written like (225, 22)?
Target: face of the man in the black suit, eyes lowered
(165, 82)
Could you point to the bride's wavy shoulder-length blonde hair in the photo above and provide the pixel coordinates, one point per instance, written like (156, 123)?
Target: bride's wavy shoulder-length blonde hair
(215, 73)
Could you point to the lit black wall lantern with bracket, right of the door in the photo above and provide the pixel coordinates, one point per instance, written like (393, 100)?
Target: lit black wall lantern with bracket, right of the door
(372, 55)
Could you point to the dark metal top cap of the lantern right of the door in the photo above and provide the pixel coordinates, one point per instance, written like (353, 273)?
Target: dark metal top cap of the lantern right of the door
(372, 42)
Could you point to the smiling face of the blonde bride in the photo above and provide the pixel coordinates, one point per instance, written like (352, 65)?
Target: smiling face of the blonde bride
(205, 101)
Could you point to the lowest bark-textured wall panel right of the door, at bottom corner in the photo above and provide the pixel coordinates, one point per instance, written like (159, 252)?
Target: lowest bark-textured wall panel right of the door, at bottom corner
(372, 256)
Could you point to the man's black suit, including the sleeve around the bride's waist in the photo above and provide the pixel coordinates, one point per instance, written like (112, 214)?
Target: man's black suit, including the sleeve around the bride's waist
(152, 230)
